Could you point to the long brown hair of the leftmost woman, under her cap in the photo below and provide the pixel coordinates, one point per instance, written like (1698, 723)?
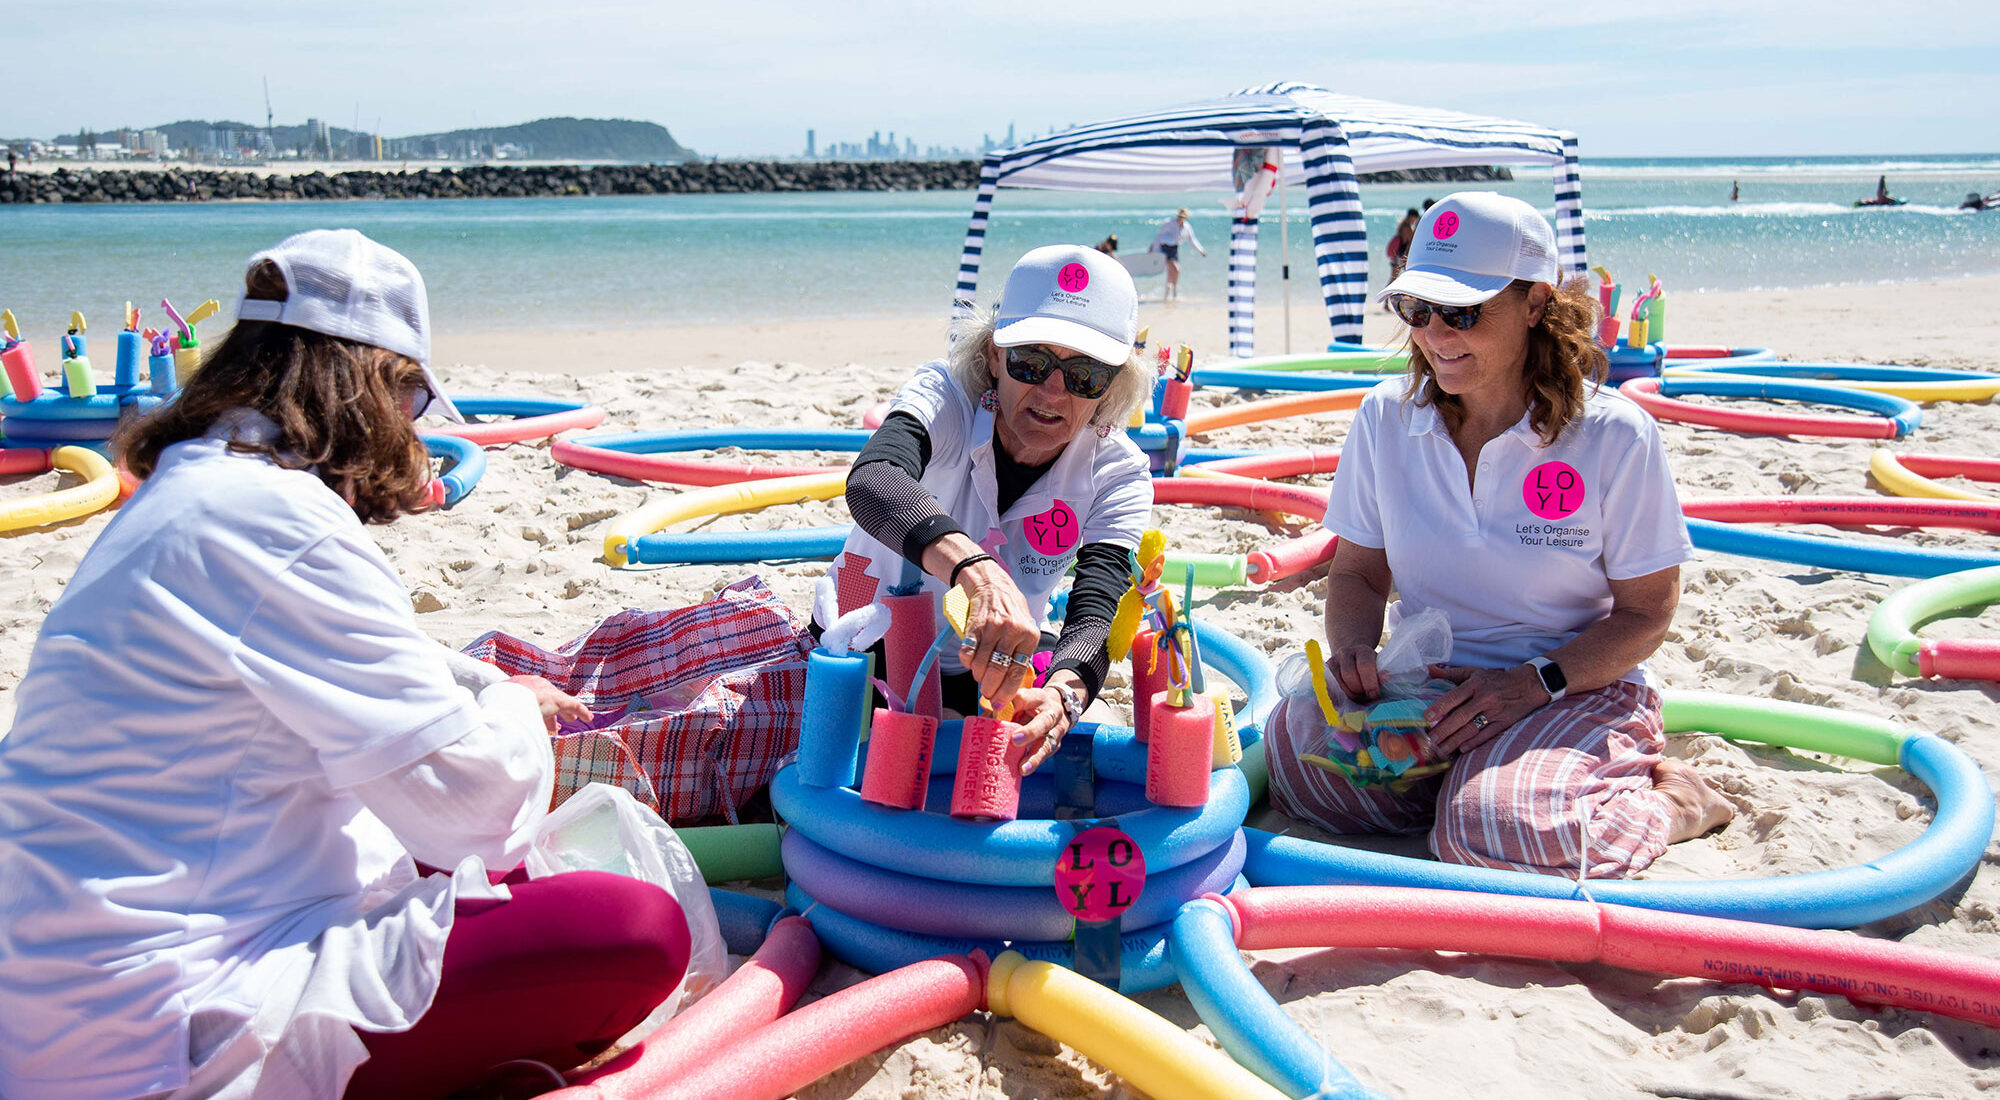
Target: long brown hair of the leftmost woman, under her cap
(341, 409)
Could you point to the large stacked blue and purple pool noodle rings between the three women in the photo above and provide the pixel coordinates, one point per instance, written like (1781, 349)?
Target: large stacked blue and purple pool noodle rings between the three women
(889, 877)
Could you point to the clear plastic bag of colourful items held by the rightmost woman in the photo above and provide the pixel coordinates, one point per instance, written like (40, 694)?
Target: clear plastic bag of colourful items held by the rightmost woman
(1381, 743)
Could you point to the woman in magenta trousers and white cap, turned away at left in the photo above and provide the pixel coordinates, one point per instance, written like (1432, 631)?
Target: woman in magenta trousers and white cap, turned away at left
(235, 749)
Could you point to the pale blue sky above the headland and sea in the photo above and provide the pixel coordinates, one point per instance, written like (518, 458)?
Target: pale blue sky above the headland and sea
(749, 77)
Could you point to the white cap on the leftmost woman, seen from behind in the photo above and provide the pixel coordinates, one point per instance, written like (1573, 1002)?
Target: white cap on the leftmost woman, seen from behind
(341, 283)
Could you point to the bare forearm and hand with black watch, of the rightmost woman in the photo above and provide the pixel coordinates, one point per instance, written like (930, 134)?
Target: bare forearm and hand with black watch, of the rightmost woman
(1605, 651)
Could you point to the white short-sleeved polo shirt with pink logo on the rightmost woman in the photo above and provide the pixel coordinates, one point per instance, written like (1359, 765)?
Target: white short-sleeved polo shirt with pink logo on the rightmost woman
(1521, 559)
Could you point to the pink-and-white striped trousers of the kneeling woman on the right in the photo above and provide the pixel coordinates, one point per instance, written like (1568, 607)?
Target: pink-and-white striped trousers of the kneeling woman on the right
(1565, 787)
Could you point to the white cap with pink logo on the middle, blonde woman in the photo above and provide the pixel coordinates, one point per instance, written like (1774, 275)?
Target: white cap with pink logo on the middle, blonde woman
(1071, 297)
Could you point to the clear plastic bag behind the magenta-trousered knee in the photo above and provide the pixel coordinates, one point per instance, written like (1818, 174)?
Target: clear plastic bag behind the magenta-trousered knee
(605, 829)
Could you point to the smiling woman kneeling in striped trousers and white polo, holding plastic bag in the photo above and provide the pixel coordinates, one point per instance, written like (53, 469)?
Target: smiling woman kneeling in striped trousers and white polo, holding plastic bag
(1505, 487)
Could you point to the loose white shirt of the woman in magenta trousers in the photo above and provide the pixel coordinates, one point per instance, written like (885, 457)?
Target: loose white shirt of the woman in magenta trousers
(229, 739)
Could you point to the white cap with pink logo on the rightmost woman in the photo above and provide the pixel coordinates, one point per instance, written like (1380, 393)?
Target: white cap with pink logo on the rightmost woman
(1473, 245)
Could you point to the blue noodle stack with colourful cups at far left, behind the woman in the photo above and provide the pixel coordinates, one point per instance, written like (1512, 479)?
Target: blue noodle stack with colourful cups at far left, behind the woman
(77, 413)
